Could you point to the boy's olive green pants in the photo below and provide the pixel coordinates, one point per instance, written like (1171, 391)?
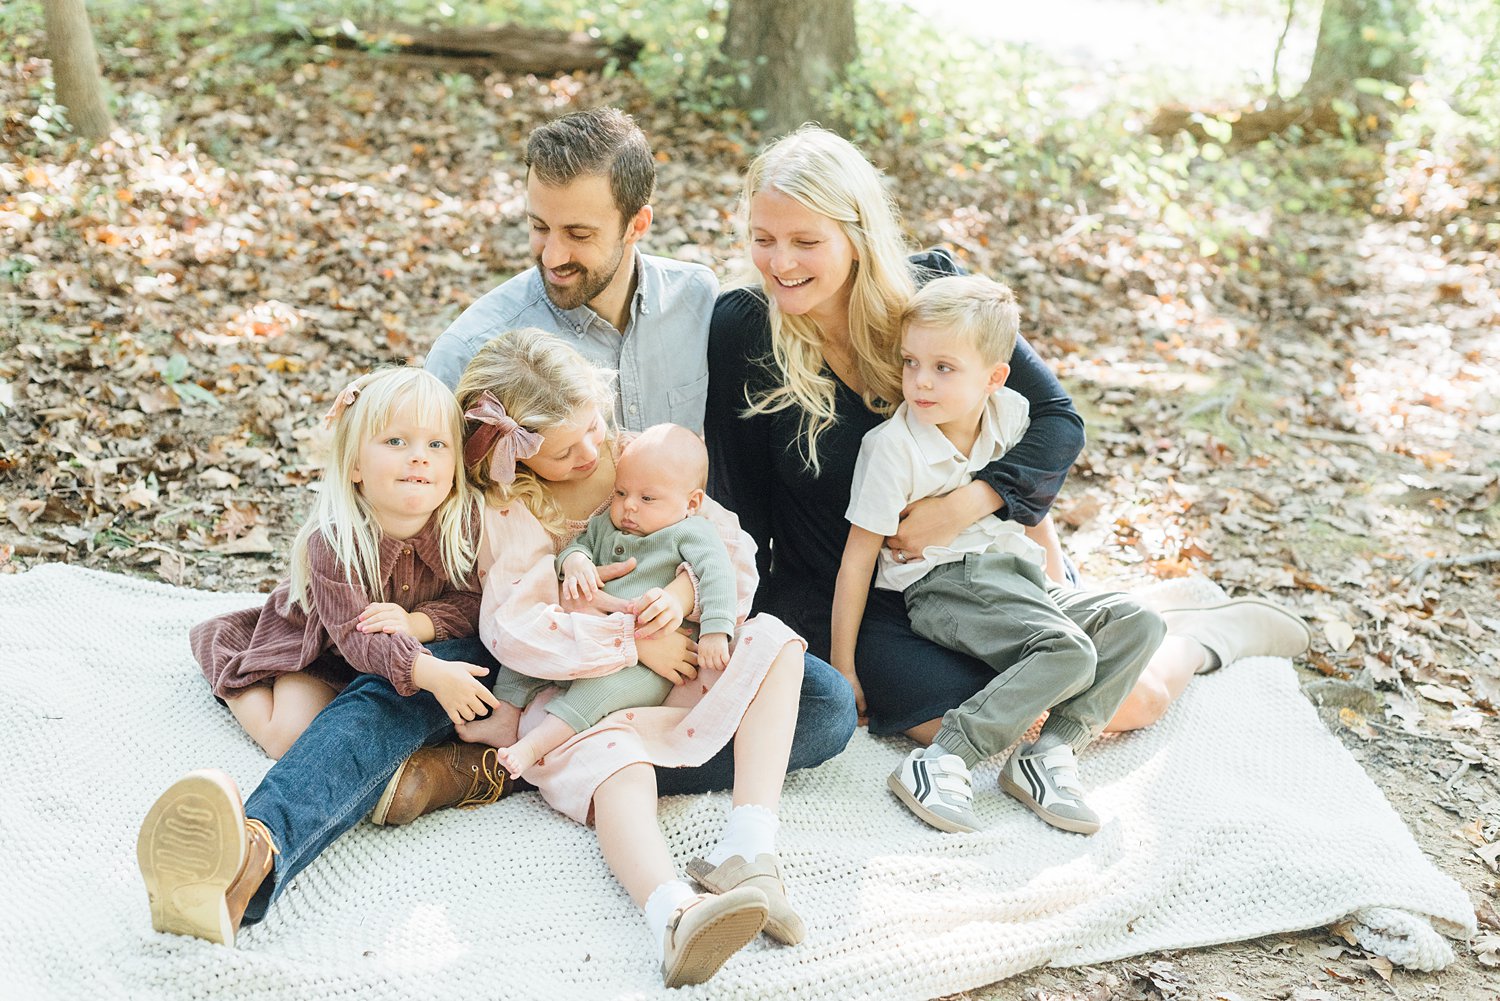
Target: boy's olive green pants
(1075, 654)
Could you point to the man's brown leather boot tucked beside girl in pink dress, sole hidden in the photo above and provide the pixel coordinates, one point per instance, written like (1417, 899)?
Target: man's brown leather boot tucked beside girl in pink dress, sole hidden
(439, 778)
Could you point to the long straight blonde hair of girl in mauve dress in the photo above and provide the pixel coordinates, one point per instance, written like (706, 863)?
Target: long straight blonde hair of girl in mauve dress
(346, 520)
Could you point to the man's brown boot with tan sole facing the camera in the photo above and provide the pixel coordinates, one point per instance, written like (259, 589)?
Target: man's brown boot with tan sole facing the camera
(202, 859)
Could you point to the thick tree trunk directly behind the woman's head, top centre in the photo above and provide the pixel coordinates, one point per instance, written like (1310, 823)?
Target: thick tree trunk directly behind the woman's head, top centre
(797, 50)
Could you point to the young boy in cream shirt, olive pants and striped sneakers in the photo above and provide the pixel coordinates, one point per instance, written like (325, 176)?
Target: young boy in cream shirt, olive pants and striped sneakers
(986, 594)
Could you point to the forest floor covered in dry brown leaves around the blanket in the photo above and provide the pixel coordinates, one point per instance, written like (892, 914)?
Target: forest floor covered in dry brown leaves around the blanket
(179, 305)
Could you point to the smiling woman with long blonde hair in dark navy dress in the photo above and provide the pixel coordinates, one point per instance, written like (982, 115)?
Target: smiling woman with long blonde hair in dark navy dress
(806, 361)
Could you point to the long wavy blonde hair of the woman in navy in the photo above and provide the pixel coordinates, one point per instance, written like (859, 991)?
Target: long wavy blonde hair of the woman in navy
(832, 178)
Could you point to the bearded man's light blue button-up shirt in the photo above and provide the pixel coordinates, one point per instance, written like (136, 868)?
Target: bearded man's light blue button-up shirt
(662, 356)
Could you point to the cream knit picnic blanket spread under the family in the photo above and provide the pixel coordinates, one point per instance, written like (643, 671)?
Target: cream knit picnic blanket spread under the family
(1237, 816)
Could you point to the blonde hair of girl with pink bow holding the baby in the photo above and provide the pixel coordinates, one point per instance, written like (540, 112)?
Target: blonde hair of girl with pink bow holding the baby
(542, 383)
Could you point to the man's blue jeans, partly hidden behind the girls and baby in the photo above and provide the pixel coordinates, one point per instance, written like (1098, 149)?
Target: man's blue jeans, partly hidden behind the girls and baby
(332, 778)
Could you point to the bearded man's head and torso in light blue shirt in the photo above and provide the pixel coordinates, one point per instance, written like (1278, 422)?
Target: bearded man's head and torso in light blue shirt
(589, 188)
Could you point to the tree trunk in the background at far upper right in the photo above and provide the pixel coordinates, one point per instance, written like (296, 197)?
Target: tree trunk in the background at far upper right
(1361, 40)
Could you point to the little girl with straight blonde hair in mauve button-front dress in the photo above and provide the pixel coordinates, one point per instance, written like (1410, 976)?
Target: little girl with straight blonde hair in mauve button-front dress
(383, 565)
